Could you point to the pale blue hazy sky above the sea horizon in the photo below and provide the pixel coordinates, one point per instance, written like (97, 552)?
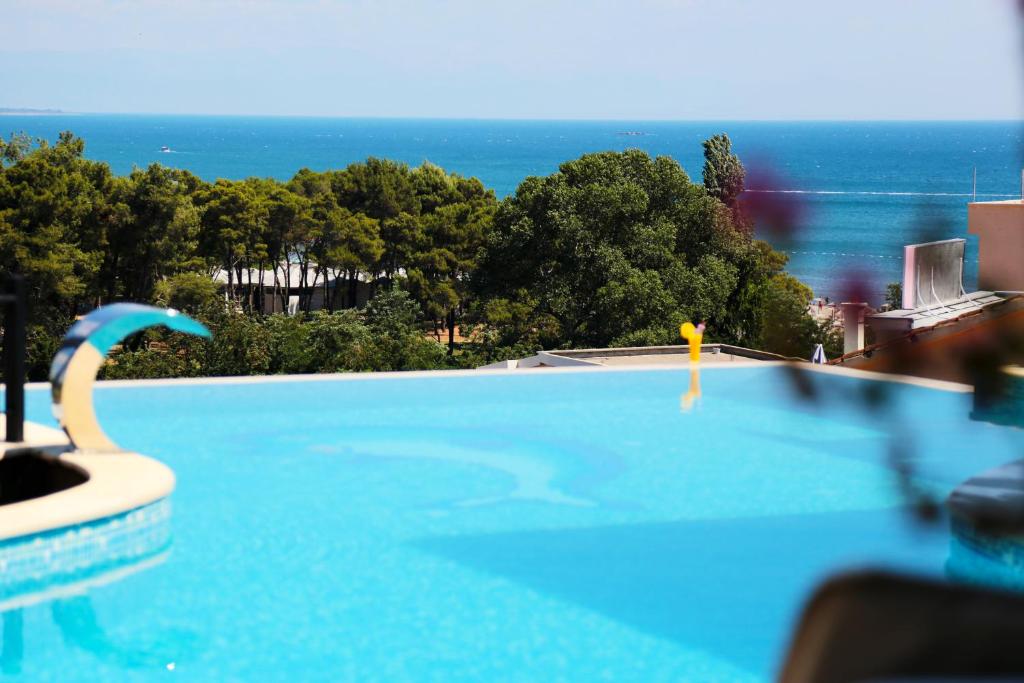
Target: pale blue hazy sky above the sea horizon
(635, 60)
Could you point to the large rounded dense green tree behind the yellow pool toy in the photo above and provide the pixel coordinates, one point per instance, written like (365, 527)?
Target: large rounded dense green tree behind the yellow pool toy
(619, 249)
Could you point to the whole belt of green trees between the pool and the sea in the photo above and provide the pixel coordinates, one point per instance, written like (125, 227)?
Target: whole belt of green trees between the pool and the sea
(614, 249)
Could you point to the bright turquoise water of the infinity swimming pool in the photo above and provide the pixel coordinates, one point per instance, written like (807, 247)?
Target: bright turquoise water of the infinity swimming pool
(545, 526)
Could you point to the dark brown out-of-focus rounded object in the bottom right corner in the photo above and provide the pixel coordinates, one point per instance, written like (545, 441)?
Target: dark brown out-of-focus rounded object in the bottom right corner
(880, 627)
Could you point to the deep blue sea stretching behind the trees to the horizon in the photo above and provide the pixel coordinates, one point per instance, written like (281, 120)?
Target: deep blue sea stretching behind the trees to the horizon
(854, 193)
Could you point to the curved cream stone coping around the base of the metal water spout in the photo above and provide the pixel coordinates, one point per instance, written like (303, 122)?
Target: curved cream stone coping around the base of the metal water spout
(118, 483)
